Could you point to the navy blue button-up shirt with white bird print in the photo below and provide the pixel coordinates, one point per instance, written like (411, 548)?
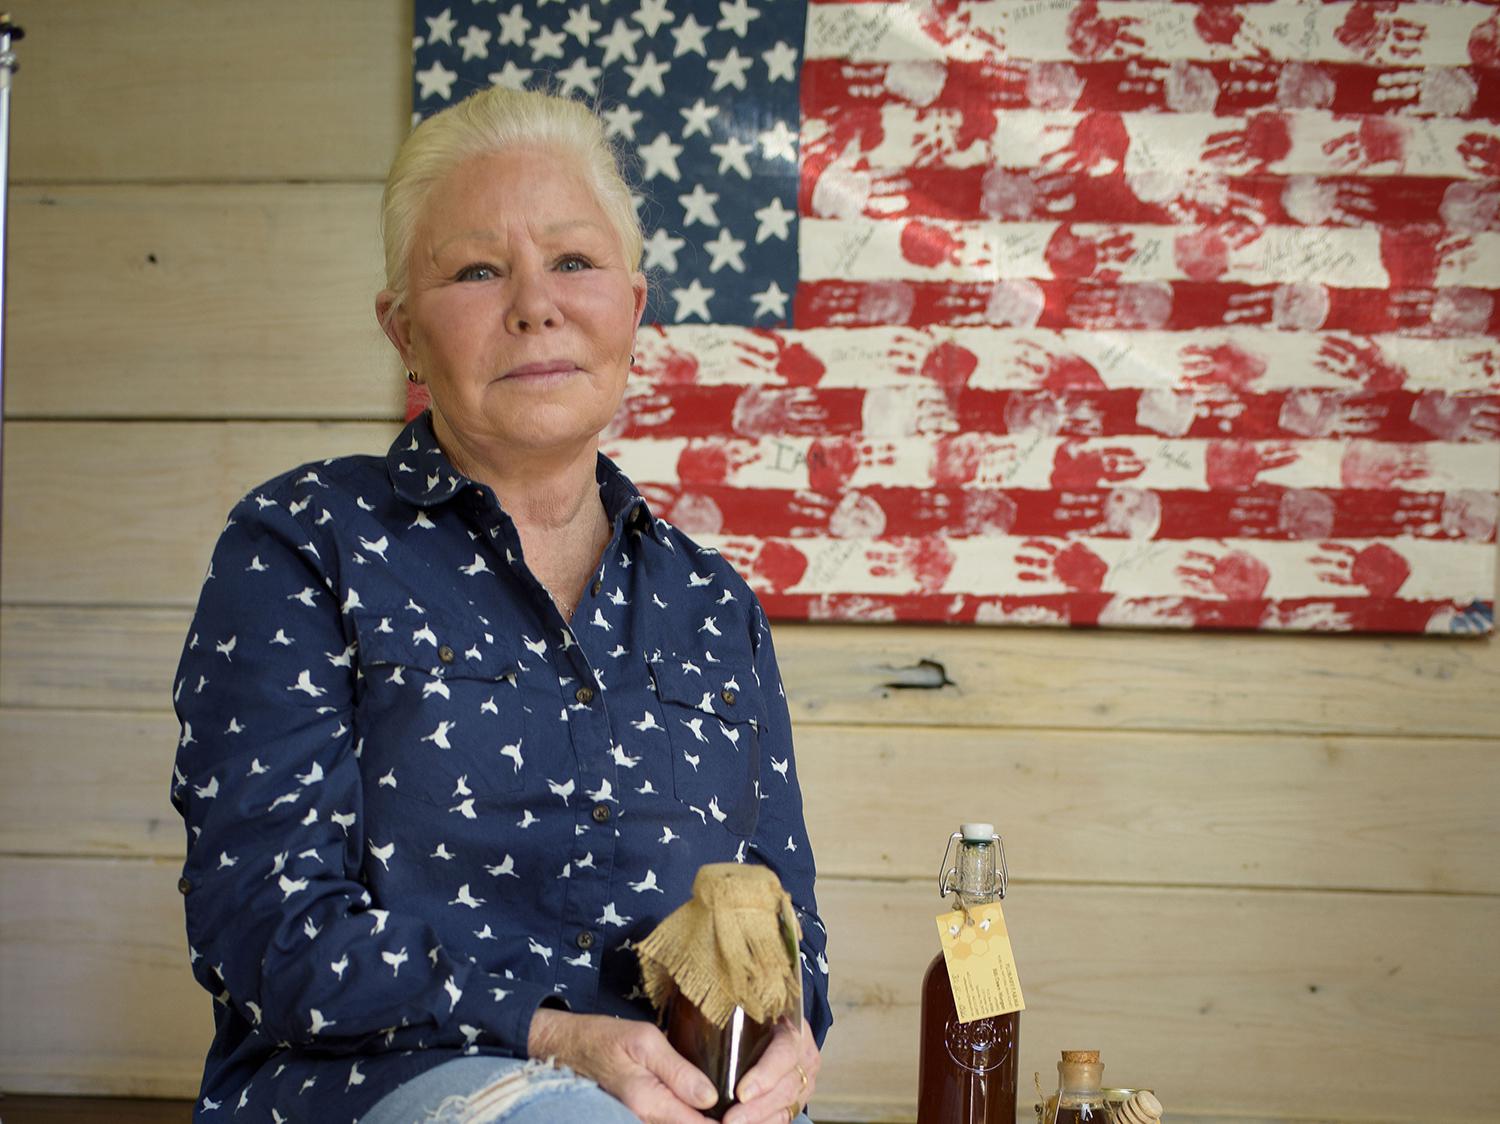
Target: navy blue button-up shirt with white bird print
(421, 804)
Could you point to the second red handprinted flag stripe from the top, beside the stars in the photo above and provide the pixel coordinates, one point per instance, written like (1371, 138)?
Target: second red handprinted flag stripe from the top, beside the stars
(1256, 200)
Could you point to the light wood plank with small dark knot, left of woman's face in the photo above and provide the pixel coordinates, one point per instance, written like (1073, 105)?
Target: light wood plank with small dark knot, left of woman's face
(199, 302)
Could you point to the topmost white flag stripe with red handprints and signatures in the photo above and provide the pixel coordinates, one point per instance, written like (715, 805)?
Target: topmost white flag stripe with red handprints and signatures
(1414, 35)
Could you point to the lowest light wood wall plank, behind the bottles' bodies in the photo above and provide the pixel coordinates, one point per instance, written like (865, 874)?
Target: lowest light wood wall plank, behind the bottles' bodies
(1259, 1003)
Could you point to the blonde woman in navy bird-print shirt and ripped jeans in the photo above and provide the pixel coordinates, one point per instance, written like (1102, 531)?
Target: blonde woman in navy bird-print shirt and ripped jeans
(461, 724)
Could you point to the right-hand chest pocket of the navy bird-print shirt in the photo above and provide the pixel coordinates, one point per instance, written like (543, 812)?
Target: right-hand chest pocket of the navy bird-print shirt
(713, 718)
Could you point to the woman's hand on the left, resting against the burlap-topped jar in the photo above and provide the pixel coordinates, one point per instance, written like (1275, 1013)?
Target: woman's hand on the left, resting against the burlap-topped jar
(631, 1060)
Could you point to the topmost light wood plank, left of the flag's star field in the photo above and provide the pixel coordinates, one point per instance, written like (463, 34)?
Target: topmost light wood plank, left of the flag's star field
(196, 91)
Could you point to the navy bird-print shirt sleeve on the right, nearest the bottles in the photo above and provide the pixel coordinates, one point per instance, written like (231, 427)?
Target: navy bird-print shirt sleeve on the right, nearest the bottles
(781, 837)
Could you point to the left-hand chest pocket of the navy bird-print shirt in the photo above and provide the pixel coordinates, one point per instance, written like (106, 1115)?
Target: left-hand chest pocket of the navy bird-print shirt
(443, 709)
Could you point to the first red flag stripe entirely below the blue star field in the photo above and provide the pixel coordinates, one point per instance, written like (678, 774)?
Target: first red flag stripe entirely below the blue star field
(1070, 409)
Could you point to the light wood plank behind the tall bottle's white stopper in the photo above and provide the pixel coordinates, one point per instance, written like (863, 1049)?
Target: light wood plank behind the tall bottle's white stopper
(1175, 810)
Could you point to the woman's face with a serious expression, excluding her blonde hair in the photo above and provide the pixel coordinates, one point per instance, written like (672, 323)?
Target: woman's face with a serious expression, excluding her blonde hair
(521, 308)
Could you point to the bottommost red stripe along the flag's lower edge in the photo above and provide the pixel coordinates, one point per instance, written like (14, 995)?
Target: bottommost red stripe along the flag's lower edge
(1363, 615)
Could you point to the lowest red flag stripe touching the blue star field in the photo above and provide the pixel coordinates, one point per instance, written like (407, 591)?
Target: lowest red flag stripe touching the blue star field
(1177, 307)
